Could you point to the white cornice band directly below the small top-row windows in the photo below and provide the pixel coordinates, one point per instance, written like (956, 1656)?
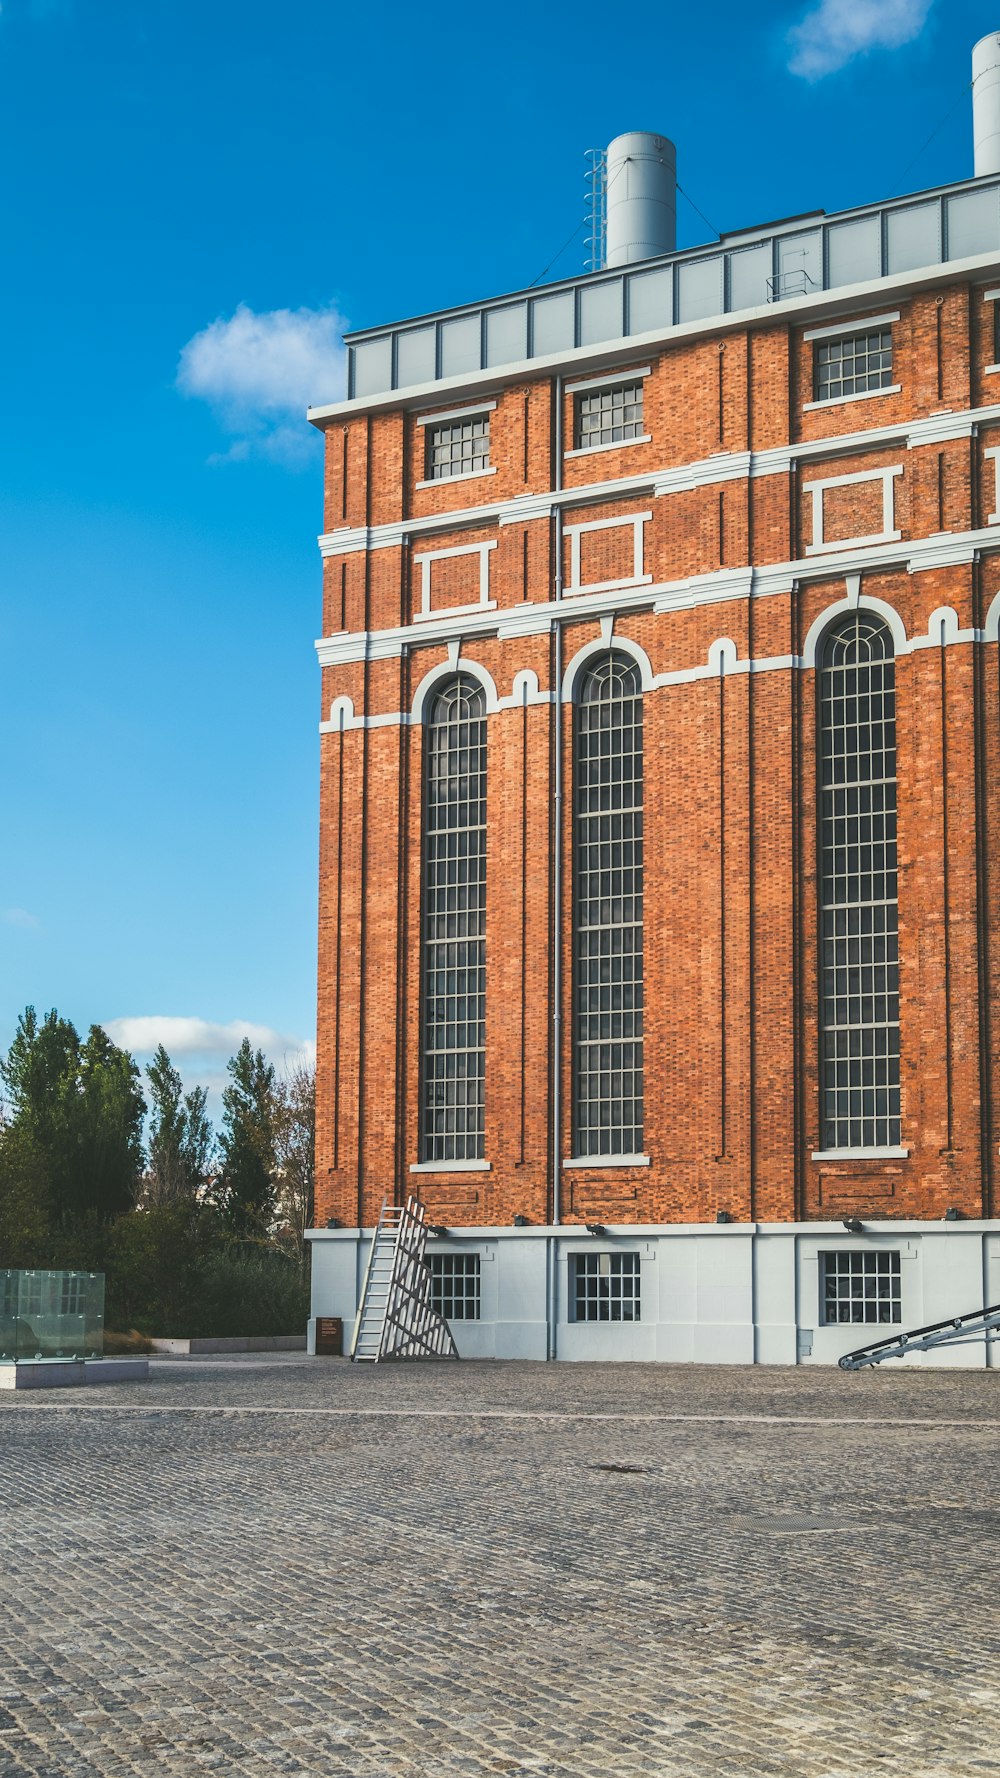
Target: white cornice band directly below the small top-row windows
(706, 472)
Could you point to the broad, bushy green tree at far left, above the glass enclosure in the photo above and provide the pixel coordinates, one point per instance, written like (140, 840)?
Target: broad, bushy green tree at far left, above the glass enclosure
(81, 1109)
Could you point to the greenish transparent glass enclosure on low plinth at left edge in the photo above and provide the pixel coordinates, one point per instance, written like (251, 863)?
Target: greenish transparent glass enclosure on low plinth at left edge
(52, 1315)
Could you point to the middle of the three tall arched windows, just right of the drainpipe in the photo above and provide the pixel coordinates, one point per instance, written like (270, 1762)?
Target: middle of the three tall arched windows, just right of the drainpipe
(608, 899)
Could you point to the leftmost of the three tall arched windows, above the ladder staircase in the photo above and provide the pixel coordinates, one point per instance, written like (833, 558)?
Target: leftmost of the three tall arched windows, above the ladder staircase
(455, 925)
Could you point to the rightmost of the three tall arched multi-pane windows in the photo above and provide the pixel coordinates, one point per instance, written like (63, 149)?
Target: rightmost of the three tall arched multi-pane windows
(859, 888)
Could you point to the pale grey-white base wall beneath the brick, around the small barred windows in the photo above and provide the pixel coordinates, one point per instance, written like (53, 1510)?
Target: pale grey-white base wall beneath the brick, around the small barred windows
(745, 1293)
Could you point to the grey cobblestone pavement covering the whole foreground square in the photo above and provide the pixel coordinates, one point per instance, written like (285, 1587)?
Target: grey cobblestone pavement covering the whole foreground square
(284, 1566)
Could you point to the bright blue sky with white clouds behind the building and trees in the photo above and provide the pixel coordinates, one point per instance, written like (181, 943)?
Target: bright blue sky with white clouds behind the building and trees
(193, 198)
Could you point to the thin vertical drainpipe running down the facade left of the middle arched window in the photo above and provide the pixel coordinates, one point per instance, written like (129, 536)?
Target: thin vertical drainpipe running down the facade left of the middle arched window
(556, 892)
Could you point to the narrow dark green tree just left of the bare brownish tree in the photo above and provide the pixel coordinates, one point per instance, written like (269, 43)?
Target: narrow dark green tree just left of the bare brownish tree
(248, 1185)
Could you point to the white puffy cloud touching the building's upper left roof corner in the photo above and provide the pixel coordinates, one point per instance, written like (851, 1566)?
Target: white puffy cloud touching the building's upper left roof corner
(261, 372)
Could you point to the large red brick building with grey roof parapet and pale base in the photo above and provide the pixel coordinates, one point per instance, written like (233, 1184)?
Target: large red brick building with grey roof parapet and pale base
(661, 797)
